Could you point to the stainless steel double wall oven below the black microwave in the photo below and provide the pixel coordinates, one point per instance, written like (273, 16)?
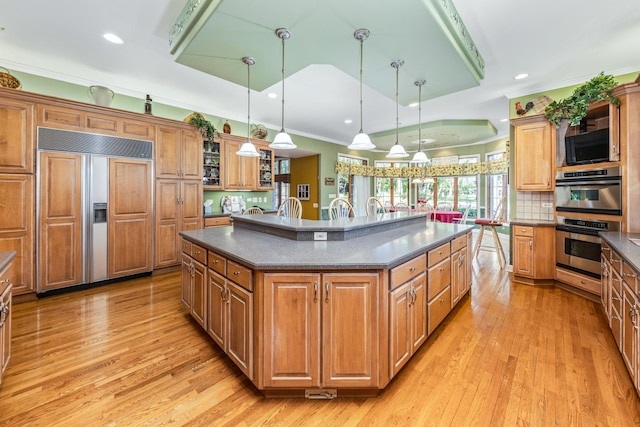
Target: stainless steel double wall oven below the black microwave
(595, 194)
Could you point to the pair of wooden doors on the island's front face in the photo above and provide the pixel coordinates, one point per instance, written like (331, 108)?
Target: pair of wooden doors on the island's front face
(305, 318)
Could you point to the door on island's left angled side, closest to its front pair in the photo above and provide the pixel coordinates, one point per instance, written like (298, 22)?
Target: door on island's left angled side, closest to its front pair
(240, 328)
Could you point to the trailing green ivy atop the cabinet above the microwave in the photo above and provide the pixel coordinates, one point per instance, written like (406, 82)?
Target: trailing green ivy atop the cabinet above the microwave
(575, 107)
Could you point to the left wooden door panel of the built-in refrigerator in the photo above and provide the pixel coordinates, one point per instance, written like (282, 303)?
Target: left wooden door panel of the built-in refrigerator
(60, 252)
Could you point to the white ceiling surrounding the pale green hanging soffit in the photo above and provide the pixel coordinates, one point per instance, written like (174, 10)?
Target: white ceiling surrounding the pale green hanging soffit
(559, 43)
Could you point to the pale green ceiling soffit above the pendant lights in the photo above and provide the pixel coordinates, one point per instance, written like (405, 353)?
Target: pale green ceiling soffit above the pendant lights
(212, 36)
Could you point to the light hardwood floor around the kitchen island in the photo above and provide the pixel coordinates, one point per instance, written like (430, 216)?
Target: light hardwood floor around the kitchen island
(128, 354)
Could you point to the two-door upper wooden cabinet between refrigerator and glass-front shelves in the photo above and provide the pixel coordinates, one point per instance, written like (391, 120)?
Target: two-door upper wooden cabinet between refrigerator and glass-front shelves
(178, 153)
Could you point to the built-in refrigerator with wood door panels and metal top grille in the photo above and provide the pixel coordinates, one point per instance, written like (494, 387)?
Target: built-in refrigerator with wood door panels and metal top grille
(94, 208)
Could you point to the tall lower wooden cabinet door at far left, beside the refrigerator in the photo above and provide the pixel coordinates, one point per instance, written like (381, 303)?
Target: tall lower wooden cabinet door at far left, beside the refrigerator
(17, 225)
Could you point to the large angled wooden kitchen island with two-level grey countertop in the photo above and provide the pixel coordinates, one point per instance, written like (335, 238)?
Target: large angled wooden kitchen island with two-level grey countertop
(321, 318)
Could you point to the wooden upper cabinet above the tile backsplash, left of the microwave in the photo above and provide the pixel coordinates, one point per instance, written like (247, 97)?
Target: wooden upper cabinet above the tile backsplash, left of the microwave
(535, 146)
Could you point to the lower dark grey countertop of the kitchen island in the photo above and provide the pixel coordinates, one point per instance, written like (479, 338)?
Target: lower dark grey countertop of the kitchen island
(385, 249)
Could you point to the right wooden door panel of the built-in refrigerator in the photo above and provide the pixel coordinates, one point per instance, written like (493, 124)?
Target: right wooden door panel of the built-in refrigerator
(129, 217)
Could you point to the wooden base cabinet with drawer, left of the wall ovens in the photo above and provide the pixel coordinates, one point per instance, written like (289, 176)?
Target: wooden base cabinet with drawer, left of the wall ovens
(533, 253)
